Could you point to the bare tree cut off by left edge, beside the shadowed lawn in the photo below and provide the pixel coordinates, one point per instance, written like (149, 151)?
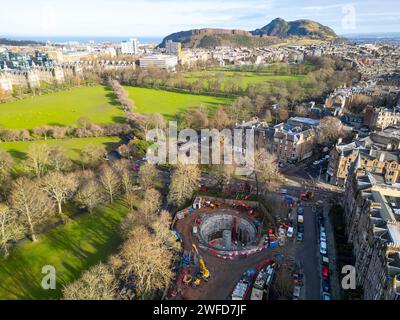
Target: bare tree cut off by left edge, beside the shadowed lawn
(10, 228)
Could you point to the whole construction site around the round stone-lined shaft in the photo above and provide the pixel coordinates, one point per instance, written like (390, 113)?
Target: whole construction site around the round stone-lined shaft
(222, 241)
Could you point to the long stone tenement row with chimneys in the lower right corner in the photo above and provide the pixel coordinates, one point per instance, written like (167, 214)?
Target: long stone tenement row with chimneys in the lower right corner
(372, 221)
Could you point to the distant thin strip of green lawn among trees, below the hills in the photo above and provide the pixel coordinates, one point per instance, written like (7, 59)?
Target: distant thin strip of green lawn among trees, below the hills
(243, 77)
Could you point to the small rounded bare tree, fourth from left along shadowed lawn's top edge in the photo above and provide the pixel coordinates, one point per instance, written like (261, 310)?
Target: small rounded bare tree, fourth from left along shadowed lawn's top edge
(90, 195)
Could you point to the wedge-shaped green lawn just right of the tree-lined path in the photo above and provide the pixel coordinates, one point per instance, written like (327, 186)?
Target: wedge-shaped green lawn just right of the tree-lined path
(170, 103)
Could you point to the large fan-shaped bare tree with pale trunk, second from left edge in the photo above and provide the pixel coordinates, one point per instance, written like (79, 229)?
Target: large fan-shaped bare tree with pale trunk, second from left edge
(31, 203)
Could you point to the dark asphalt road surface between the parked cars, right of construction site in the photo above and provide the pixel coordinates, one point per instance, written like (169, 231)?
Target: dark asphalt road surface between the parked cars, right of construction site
(307, 254)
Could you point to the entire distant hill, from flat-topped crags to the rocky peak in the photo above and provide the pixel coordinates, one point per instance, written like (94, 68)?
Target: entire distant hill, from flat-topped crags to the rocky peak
(270, 34)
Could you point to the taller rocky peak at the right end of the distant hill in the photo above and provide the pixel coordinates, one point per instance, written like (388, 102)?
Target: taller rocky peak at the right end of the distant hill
(283, 29)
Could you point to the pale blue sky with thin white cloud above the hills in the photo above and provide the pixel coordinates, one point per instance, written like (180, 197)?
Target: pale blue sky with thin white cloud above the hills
(157, 18)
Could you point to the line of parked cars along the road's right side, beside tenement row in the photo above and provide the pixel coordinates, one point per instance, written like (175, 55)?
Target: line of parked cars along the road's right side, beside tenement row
(323, 249)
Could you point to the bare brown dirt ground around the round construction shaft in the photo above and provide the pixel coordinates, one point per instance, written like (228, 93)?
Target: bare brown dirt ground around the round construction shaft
(224, 273)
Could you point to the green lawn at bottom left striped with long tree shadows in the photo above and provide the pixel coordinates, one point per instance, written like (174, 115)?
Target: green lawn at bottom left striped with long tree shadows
(71, 249)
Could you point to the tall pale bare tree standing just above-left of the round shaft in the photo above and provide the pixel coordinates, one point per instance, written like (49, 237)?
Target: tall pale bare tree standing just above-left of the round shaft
(184, 182)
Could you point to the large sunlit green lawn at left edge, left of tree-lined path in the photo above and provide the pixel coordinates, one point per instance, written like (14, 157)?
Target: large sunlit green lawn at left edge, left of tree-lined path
(62, 108)
